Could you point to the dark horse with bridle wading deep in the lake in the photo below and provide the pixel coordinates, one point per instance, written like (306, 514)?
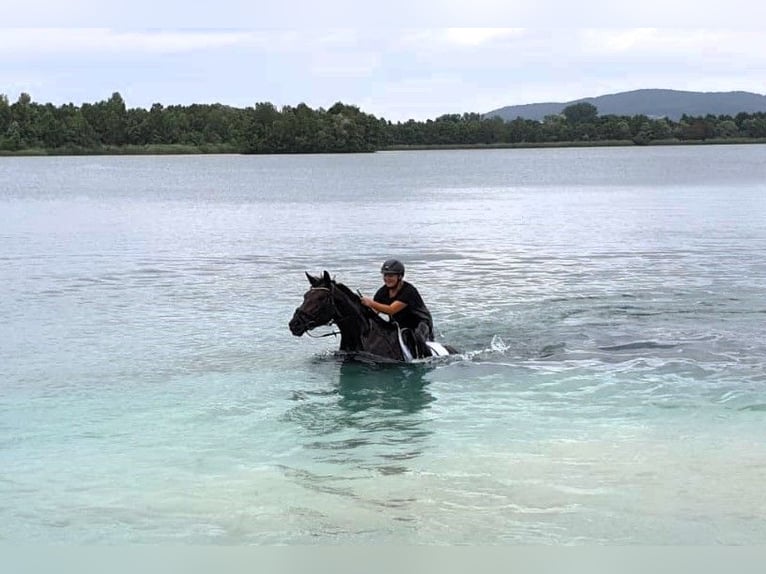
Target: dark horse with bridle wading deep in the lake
(362, 331)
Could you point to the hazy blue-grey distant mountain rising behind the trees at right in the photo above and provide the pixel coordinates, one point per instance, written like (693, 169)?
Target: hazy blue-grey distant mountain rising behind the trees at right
(653, 103)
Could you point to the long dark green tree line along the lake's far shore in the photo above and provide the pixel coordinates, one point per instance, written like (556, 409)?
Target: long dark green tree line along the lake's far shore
(110, 127)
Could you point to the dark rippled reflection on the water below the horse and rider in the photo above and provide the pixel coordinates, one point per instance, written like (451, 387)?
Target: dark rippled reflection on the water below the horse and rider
(372, 419)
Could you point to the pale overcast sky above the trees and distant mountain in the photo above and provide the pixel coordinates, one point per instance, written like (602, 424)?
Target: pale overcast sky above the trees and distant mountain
(416, 60)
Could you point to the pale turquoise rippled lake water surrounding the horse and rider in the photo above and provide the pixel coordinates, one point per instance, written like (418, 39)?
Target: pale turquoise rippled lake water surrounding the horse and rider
(609, 304)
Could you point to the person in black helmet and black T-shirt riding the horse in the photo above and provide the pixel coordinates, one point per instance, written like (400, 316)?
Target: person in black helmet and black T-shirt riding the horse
(401, 301)
